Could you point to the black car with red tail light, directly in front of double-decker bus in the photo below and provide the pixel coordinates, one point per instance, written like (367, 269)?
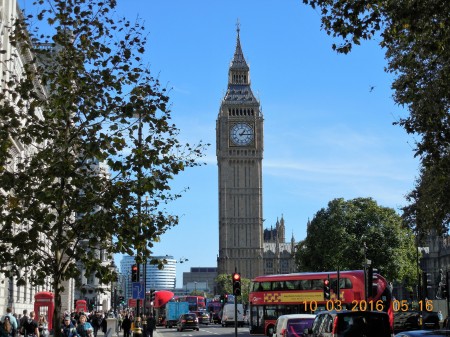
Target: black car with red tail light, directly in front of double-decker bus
(351, 323)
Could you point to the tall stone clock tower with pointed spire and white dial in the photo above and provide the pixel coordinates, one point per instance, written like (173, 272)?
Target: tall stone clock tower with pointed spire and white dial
(239, 137)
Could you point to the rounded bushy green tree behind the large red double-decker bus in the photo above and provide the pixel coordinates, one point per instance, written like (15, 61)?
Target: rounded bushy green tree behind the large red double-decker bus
(336, 237)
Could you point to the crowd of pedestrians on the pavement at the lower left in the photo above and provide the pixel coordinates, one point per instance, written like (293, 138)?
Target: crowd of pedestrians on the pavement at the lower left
(73, 324)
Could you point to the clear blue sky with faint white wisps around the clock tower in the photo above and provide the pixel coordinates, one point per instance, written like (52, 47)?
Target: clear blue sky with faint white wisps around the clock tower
(326, 133)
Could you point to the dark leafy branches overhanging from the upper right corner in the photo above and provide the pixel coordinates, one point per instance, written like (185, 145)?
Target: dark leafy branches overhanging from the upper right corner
(416, 38)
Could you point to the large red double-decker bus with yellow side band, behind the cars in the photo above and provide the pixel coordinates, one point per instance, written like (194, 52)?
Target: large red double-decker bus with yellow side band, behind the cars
(274, 295)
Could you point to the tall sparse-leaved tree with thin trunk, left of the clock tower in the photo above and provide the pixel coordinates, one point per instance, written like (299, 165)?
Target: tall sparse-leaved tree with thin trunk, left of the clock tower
(95, 139)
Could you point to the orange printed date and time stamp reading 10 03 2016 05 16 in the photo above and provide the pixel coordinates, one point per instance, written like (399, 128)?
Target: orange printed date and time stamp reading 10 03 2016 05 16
(362, 305)
